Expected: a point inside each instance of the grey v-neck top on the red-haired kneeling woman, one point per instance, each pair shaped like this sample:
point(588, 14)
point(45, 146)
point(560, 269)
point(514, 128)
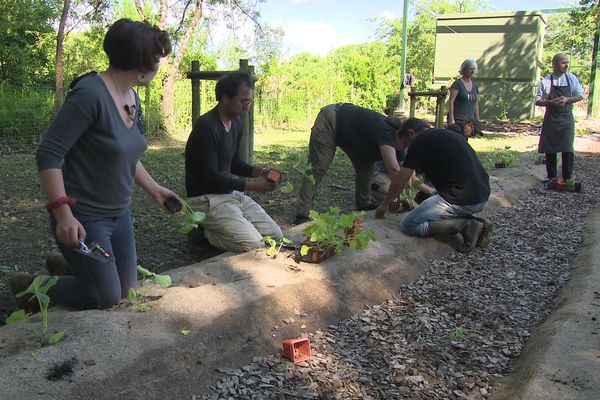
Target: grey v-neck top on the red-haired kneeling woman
point(97, 152)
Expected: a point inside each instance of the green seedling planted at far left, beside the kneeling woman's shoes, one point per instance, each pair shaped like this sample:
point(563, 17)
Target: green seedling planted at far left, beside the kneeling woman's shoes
point(38, 291)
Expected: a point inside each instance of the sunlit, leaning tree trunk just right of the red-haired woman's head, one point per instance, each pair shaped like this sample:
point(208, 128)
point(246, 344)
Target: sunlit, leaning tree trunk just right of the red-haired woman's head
point(168, 92)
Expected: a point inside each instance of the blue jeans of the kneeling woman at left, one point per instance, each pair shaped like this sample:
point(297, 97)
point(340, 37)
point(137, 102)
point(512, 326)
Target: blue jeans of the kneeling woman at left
point(96, 284)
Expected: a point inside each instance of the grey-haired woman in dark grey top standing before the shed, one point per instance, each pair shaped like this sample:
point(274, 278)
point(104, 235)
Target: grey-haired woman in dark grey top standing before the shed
point(463, 105)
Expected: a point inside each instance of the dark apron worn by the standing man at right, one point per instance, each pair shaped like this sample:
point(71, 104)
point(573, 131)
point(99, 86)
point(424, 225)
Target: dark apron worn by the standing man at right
point(558, 128)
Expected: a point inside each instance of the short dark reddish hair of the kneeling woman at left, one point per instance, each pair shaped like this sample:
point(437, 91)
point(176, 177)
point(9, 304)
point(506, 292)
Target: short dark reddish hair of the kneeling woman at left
point(133, 45)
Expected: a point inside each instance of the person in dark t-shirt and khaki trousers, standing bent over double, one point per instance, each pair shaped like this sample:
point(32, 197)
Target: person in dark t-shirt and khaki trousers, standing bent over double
point(366, 136)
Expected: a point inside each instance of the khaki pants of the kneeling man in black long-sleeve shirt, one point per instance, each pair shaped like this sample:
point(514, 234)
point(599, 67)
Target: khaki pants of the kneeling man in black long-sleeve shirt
point(234, 222)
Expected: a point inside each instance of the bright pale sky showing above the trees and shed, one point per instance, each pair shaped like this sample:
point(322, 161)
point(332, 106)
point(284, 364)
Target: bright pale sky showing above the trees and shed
point(319, 26)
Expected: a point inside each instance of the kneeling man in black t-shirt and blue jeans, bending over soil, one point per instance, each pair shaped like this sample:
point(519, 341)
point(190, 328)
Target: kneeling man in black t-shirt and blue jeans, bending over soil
point(461, 182)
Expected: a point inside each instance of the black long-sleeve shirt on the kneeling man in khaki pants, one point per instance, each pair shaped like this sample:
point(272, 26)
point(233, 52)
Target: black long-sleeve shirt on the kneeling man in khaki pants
point(212, 156)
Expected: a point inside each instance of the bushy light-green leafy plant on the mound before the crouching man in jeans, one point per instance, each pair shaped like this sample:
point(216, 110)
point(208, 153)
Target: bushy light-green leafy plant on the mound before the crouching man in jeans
point(328, 231)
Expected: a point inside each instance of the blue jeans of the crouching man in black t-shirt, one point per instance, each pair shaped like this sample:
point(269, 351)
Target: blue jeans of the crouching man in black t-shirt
point(416, 222)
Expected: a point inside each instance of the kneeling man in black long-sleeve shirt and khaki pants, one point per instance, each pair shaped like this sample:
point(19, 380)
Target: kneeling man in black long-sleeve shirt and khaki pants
point(233, 221)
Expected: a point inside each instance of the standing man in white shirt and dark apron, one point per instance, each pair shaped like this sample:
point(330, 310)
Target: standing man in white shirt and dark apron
point(557, 92)
